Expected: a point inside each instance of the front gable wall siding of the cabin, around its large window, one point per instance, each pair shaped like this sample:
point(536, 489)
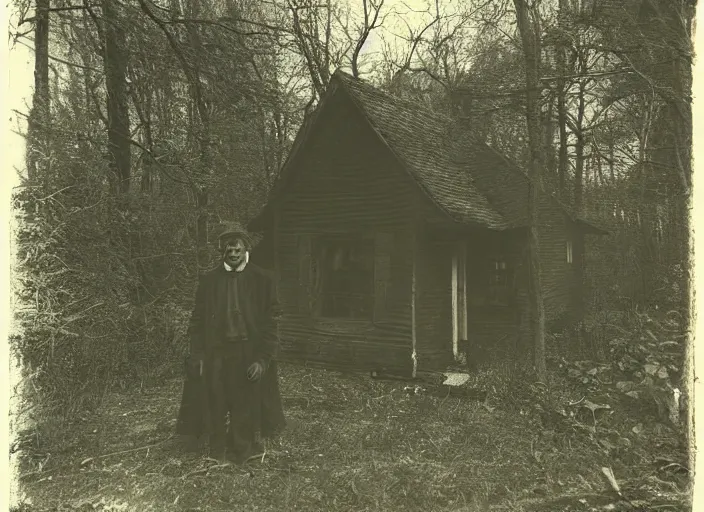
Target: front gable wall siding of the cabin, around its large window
point(348, 182)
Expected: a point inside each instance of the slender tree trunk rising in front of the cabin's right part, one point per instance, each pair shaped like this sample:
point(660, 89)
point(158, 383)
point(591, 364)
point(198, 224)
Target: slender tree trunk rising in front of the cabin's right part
point(530, 35)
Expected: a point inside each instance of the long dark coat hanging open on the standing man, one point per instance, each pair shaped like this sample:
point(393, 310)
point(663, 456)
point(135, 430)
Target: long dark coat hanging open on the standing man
point(259, 309)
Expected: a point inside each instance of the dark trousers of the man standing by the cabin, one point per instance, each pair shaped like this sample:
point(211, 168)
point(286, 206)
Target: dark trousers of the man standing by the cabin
point(236, 397)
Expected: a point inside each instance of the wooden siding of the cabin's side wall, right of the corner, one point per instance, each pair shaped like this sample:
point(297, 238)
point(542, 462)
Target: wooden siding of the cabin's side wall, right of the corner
point(496, 330)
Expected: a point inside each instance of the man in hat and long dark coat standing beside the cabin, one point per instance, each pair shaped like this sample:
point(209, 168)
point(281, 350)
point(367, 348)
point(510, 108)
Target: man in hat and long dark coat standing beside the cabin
point(232, 360)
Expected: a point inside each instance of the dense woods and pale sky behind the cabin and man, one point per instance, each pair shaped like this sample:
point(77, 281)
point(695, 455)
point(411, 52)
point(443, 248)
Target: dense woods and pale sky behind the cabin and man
point(153, 120)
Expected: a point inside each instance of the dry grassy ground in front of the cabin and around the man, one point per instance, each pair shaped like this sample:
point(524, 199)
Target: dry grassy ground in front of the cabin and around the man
point(352, 444)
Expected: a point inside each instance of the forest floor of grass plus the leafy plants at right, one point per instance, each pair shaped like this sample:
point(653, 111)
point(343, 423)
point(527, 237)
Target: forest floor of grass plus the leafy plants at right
point(582, 441)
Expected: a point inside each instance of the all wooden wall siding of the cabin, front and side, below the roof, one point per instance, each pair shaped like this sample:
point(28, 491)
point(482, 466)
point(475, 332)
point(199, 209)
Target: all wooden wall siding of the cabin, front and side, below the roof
point(350, 182)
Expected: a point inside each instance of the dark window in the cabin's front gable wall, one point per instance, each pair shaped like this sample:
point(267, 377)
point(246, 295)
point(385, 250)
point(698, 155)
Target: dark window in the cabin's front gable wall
point(343, 275)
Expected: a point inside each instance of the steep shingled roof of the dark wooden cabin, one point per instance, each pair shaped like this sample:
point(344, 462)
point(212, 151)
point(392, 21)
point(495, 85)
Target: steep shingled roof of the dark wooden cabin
point(464, 177)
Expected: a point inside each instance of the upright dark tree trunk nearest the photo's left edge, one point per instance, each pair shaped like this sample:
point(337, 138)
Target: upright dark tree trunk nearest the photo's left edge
point(39, 117)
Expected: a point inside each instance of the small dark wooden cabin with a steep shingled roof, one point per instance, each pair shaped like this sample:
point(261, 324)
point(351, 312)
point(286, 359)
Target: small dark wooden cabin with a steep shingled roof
point(398, 239)
